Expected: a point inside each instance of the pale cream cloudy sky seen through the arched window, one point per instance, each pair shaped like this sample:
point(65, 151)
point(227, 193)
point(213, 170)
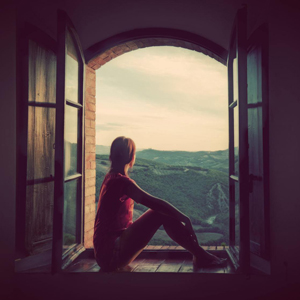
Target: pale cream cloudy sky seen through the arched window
point(164, 98)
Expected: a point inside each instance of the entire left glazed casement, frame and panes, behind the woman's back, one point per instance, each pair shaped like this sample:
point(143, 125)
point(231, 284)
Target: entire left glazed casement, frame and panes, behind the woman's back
point(68, 206)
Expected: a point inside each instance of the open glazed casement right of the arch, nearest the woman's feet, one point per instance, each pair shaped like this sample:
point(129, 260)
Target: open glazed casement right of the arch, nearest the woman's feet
point(238, 145)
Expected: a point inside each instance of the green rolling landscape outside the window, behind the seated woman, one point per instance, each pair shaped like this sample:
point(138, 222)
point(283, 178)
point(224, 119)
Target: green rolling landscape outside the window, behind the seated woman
point(194, 182)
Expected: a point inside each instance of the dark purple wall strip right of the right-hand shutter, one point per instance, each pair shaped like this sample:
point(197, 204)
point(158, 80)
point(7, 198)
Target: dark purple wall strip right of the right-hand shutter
point(284, 95)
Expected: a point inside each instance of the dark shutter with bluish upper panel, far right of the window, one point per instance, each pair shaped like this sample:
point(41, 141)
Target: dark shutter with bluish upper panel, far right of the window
point(257, 66)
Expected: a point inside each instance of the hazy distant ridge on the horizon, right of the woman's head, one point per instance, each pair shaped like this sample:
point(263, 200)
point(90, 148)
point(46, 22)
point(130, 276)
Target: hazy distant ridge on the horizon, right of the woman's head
point(217, 160)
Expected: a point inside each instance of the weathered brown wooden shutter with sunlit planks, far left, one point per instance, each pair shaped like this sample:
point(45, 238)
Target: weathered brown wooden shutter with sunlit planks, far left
point(36, 141)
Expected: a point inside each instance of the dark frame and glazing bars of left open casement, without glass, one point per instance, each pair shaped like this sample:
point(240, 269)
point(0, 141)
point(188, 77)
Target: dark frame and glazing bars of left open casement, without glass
point(60, 259)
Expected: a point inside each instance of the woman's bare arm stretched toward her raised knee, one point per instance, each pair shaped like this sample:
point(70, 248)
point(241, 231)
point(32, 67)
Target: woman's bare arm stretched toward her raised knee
point(136, 193)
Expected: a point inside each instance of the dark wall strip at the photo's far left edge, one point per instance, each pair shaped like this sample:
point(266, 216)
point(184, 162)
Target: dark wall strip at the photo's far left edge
point(8, 144)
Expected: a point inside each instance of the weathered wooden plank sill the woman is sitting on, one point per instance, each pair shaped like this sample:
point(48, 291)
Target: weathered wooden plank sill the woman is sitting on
point(165, 259)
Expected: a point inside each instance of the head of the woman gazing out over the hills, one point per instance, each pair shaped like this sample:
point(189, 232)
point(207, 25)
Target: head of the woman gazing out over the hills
point(122, 153)
